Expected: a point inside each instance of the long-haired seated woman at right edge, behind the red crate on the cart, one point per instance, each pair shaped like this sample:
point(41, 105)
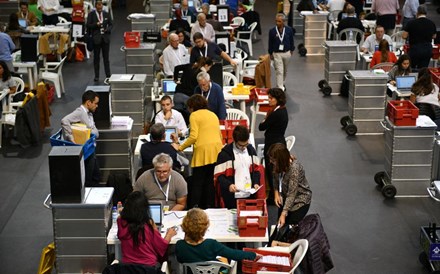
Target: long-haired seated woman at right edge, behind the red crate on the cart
point(425, 94)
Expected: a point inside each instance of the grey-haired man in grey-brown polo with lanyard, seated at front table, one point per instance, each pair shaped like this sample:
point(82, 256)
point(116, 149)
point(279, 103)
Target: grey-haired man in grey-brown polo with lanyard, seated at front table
point(163, 184)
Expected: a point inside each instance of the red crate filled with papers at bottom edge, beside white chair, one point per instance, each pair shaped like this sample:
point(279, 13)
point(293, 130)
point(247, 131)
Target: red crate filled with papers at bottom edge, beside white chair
point(251, 267)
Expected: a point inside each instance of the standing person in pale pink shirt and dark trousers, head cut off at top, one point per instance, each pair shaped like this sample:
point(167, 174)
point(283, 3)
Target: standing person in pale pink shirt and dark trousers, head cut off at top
point(386, 11)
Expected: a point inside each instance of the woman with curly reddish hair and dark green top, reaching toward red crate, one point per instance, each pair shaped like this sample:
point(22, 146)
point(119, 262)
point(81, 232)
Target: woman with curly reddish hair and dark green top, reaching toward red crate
point(194, 248)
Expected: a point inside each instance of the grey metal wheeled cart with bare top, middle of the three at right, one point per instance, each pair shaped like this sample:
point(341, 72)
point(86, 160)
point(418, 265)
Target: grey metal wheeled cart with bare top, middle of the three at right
point(366, 103)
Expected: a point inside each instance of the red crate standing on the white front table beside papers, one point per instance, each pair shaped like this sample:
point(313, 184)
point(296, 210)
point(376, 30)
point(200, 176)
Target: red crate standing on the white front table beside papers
point(252, 226)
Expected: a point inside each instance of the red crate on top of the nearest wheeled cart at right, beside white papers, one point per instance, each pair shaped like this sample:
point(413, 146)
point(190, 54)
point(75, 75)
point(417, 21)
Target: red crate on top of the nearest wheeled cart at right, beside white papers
point(402, 113)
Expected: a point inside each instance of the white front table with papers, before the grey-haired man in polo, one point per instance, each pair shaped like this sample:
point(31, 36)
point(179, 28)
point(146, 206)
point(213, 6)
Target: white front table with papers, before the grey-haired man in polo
point(223, 228)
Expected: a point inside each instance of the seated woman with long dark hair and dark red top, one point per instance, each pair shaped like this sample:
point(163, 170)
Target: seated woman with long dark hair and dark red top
point(141, 242)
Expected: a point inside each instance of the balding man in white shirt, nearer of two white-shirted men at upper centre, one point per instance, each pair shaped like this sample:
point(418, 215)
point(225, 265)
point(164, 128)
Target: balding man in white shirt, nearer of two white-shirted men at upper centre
point(173, 55)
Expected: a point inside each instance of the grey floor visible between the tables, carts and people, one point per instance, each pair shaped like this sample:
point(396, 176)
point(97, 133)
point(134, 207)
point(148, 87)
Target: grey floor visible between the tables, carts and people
point(367, 233)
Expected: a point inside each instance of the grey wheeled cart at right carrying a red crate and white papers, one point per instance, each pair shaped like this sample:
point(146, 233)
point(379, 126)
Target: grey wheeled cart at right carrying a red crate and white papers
point(408, 160)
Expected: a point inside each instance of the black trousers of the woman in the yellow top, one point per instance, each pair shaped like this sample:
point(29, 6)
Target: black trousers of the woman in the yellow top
point(201, 187)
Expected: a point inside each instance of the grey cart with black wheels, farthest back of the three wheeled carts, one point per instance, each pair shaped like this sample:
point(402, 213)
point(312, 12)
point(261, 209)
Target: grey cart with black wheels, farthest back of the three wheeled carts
point(340, 56)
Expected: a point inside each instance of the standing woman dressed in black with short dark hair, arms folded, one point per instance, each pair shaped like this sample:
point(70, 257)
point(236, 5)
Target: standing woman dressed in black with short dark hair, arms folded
point(274, 125)
